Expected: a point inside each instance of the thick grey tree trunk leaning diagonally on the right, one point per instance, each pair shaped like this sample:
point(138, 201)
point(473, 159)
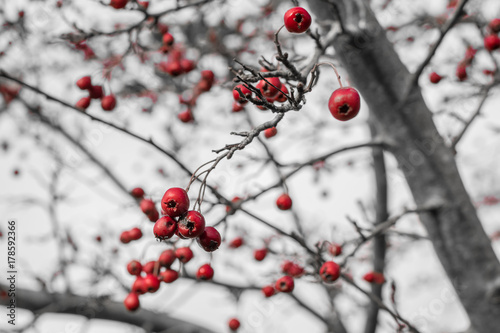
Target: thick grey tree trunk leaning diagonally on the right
point(427, 163)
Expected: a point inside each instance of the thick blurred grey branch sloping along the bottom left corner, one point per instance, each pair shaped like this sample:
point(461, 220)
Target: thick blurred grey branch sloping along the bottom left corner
point(43, 302)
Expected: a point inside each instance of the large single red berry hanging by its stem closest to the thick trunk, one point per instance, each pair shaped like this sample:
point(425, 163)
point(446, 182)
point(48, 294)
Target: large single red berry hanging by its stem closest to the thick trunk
point(344, 103)
